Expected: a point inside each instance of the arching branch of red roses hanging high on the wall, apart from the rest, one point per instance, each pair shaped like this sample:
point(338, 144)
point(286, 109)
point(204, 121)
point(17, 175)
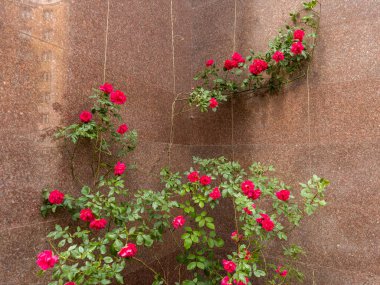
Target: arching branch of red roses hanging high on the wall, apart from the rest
point(282, 63)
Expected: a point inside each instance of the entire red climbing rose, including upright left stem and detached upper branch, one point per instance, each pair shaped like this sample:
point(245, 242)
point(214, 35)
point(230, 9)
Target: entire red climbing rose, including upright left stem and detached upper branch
point(112, 225)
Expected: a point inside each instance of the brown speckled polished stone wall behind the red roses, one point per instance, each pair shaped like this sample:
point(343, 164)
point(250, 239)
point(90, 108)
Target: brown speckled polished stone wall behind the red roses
point(54, 52)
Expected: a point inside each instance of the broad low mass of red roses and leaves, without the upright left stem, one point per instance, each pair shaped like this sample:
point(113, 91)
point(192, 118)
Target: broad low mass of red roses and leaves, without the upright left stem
point(116, 223)
